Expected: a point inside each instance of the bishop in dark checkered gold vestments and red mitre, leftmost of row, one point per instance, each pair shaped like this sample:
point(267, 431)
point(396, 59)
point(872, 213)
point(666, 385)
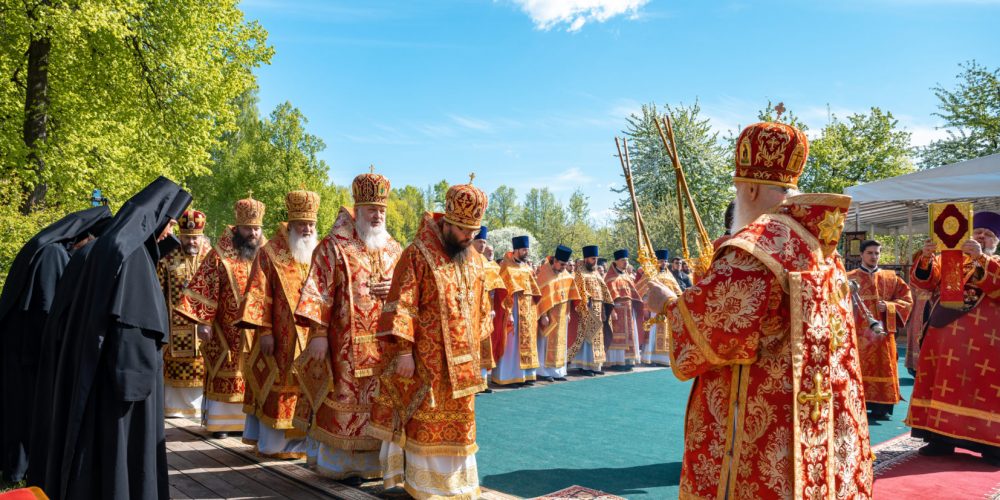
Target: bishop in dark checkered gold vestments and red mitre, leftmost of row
point(183, 365)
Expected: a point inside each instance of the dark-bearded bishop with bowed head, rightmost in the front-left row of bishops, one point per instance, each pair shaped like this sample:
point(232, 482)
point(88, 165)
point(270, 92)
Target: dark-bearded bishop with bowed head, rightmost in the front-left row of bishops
point(435, 318)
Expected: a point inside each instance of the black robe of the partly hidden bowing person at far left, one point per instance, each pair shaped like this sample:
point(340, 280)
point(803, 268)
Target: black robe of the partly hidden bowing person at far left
point(25, 303)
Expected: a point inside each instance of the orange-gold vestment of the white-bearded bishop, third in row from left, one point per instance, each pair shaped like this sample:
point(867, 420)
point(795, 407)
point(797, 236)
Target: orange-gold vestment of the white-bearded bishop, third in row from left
point(268, 307)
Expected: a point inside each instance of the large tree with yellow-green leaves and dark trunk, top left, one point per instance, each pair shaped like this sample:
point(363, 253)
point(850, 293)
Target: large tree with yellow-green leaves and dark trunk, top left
point(113, 93)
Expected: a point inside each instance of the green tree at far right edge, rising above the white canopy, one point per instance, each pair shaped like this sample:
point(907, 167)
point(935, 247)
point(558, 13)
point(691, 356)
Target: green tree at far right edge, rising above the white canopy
point(971, 114)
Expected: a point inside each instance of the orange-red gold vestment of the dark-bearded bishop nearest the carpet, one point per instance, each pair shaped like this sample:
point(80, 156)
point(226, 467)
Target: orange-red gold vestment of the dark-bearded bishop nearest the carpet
point(438, 309)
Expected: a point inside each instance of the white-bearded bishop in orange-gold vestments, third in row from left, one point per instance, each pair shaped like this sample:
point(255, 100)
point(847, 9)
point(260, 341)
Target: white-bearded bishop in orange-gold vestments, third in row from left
point(276, 281)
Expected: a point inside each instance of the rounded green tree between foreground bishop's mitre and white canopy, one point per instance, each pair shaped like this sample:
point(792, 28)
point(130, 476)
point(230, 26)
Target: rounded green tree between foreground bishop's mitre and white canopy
point(866, 147)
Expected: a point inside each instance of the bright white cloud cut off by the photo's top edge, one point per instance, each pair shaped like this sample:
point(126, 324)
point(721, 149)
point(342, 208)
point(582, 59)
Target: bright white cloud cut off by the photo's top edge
point(574, 14)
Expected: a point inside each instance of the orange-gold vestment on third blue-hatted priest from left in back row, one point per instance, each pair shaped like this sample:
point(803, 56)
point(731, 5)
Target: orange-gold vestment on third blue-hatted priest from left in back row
point(559, 295)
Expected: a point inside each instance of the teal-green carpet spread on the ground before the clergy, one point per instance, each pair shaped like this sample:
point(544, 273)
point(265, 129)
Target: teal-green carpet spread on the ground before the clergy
point(619, 434)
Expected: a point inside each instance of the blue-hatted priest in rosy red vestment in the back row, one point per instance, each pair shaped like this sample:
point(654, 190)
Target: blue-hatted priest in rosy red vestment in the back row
point(623, 352)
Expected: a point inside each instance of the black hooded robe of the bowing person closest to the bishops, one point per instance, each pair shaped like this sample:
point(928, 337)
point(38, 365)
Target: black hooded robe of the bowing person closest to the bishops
point(105, 435)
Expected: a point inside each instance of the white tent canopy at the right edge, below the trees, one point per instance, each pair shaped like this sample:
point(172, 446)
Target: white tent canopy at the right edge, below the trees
point(899, 205)
